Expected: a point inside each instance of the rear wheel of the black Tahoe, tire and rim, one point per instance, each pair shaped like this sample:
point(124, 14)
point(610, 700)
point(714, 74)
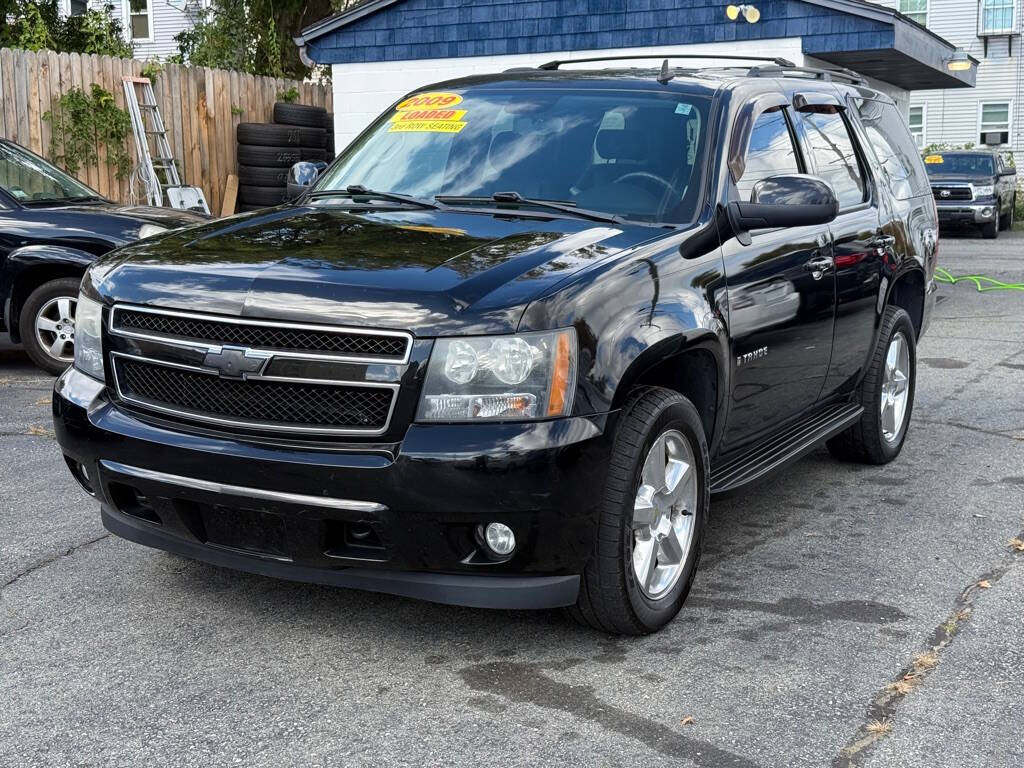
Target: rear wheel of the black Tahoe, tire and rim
point(886, 394)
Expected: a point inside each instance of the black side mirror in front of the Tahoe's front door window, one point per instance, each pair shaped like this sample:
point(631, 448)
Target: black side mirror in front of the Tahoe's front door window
point(794, 200)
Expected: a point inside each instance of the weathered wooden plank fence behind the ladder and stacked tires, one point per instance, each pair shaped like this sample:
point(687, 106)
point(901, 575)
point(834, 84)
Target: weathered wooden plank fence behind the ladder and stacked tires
point(201, 109)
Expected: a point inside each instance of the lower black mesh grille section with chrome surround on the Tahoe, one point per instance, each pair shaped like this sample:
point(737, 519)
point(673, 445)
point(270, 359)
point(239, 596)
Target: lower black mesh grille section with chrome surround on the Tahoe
point(255, 402)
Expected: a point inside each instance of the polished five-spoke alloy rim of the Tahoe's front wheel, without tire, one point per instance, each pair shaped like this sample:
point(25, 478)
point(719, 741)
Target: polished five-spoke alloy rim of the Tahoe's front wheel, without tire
point(663, 515)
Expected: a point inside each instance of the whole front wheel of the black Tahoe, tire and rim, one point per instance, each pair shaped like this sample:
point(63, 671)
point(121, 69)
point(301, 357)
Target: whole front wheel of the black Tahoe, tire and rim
point(653, 519)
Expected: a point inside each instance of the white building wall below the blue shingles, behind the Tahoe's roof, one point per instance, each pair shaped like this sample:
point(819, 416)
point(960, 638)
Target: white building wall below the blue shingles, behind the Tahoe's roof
point(362, 92)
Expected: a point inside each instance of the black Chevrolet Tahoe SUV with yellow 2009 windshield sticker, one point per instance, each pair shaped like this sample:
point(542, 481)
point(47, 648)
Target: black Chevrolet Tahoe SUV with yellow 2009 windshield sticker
point(506, 348)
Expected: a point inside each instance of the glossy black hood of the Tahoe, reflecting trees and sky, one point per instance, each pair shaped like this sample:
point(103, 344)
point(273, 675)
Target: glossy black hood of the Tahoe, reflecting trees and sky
point(428, 272)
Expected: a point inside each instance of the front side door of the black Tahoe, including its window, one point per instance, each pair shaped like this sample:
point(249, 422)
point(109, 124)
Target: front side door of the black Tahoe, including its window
point(781, 300)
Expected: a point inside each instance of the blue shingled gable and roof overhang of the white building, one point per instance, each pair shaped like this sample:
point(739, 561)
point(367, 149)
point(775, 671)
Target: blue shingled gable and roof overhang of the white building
point(870, 39)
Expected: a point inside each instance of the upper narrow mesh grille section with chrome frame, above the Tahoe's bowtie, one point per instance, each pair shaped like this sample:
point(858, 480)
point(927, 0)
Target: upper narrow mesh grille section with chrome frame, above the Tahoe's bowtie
point(357, 346)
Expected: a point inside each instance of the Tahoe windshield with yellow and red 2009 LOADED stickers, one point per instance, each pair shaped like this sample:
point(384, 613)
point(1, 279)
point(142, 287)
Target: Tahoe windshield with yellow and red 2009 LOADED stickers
point(632, 154)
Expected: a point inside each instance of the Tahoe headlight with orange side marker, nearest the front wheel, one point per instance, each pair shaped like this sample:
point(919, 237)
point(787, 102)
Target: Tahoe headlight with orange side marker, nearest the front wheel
point(501, 378)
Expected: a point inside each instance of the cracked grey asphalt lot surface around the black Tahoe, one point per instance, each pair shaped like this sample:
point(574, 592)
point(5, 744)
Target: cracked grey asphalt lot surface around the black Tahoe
point(843, 616)
